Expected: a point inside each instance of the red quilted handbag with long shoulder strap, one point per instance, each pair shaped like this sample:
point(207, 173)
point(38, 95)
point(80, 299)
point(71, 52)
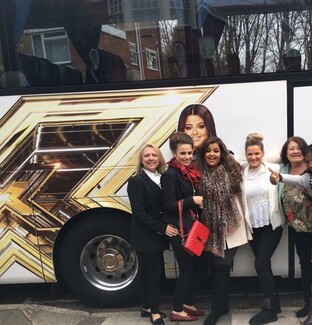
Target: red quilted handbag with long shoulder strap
point(195, 241)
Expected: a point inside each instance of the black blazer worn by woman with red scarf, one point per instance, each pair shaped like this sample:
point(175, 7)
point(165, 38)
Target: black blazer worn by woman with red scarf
point(174, 188)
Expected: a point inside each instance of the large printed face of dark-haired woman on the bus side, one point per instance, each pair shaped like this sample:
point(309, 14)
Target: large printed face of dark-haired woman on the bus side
point(195, 127)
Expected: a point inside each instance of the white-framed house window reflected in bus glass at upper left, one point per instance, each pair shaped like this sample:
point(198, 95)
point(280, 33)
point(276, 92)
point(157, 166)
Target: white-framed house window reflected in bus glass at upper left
point(52, 45)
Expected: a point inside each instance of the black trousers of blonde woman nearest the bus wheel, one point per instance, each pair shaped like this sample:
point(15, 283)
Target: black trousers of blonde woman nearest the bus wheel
point(151, 272)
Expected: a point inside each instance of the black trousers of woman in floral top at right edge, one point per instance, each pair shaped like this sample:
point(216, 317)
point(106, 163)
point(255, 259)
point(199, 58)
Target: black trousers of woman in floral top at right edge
point(303, 243)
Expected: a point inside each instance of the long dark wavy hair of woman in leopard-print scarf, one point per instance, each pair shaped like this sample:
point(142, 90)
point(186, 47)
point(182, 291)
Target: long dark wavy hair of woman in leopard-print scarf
point(231, 166)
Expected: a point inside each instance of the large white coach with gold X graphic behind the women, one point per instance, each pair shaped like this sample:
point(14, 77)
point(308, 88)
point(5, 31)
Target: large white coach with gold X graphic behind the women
point(84, 84)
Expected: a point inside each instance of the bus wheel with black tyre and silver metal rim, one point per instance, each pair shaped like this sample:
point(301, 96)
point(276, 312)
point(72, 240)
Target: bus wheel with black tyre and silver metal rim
point(98, 263)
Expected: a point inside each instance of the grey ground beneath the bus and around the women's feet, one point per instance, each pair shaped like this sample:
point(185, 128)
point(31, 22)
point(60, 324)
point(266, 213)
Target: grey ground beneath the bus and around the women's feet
point(22, 305)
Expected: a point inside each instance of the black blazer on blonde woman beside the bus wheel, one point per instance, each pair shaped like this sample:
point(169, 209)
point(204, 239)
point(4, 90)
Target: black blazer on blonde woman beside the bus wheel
point(147, 228)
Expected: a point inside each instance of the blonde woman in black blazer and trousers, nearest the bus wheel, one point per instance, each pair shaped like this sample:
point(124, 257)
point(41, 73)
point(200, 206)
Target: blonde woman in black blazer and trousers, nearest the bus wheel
point(147, 228)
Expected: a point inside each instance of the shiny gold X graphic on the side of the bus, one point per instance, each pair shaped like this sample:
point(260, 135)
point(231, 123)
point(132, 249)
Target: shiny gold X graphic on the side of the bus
point(62, 156)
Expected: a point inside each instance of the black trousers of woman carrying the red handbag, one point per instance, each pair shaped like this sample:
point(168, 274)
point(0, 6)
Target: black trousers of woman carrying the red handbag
point(190, 275)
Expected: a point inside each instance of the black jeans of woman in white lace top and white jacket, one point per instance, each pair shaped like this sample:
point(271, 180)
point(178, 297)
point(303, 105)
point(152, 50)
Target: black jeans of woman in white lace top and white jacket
point(263, 245)
